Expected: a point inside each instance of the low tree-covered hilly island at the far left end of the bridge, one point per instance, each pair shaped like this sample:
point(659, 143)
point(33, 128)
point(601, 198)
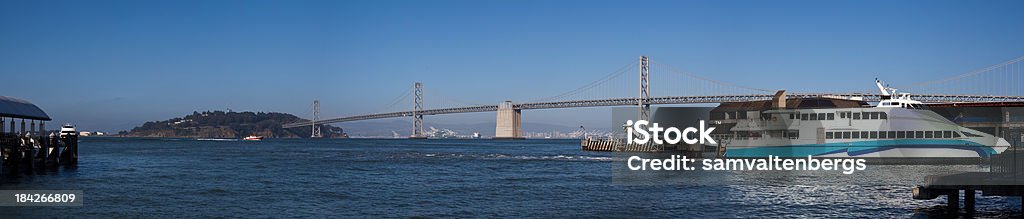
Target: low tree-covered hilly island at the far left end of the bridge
point(220, 124)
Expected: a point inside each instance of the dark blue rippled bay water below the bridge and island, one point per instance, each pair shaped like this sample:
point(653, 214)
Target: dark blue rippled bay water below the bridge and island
point(133, 178)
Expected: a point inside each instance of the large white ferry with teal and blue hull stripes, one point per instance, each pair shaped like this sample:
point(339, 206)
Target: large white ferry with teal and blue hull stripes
point(898, 127)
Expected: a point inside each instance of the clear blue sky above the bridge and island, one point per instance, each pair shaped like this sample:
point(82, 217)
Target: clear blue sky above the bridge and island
point(113, 65)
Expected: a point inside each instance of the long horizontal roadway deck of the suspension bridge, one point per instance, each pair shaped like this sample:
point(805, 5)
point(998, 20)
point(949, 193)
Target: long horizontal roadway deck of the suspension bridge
point(656, 101)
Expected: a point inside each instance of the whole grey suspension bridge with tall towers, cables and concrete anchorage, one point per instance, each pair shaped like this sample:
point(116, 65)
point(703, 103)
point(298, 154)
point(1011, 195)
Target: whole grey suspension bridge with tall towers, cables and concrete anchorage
point(999, 83)
